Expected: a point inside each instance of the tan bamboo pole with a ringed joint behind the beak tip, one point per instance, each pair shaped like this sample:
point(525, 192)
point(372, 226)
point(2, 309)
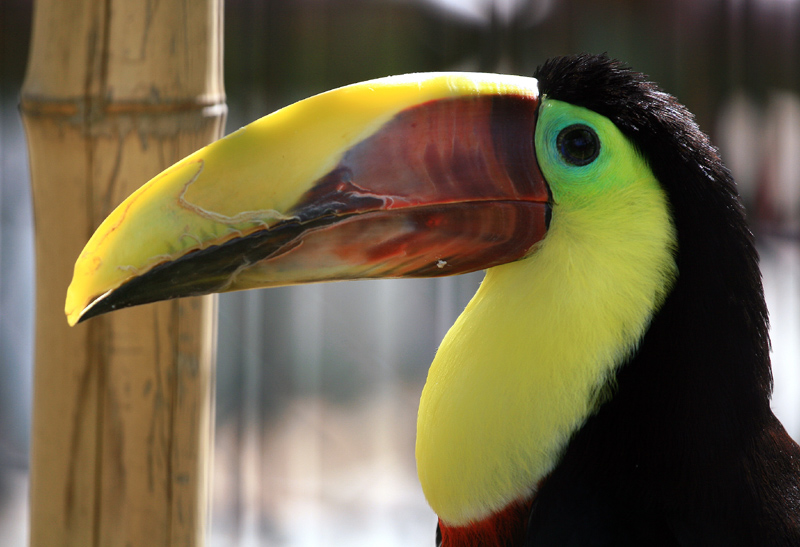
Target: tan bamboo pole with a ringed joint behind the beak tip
point(116, 91)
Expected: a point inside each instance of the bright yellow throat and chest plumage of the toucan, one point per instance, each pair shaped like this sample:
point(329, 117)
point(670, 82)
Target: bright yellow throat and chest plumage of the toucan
point(520, 370)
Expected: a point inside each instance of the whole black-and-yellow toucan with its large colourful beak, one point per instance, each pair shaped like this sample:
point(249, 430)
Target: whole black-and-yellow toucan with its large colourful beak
point(609, 382)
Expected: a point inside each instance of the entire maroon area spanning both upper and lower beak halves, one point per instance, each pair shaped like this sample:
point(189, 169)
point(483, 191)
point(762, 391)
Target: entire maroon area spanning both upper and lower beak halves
point(451, 186)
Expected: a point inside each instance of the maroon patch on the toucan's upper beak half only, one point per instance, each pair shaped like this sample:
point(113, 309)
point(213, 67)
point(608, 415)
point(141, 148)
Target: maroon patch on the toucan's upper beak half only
point(447, 151)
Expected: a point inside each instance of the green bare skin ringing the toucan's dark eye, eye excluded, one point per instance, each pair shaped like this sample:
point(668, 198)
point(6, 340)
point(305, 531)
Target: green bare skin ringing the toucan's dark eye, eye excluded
point(616, 168)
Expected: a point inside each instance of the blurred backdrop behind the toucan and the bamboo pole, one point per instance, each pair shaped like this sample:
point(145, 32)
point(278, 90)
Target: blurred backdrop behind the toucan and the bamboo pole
point(318, 386)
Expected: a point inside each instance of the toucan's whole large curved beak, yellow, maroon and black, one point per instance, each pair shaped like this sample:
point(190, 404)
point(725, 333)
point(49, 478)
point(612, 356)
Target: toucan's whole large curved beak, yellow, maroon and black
point(411, 176)
